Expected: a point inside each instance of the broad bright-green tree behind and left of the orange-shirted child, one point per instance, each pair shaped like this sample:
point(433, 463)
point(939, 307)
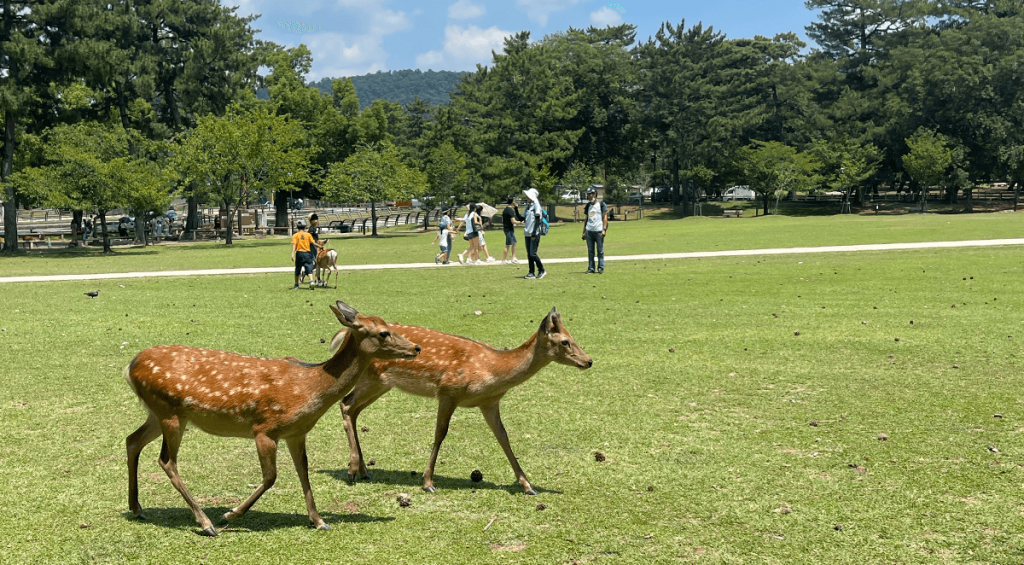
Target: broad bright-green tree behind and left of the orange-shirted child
point(242, 154)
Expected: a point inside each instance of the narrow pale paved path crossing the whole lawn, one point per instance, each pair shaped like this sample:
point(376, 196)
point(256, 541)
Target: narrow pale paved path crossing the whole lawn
point(690, 255)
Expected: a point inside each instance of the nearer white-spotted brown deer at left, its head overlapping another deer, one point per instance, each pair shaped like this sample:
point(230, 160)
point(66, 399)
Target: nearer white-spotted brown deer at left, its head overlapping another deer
point(234, 396)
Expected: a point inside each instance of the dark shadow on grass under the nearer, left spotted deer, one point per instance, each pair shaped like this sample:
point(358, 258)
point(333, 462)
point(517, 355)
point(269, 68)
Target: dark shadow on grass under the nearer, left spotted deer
point(252, 521)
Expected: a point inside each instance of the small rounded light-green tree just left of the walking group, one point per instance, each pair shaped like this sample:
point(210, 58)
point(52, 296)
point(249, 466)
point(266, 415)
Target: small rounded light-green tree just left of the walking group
point(373, 173)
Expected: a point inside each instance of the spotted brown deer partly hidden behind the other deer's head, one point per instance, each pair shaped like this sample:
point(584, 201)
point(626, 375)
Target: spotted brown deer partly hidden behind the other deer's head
point(459, 373)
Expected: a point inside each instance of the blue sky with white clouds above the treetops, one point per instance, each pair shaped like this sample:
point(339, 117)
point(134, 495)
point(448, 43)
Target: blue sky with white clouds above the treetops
point(356, 37)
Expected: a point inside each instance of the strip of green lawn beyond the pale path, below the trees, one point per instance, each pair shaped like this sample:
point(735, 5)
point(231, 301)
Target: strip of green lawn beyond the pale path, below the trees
point(650, 236)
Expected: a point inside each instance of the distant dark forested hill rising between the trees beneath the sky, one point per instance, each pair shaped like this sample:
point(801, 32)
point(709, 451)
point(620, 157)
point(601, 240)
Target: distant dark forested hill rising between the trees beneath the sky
point(401, 86)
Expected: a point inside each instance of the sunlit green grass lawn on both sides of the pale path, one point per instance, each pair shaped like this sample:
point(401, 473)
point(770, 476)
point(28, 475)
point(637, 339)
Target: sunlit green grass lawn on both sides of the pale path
point(729, 438)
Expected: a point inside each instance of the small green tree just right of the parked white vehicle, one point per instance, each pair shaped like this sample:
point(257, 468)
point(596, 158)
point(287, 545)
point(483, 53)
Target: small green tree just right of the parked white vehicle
point(773, 169)
